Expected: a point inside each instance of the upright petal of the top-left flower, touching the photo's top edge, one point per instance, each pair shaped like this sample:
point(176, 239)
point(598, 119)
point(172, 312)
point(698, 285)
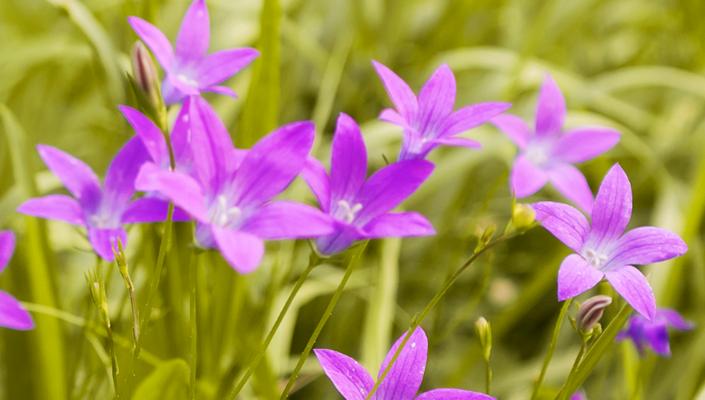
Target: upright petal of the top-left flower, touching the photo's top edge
point(194, 33)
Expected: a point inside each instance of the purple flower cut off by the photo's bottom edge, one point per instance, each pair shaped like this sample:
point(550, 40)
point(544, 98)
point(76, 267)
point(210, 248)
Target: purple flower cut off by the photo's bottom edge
point(401, 383)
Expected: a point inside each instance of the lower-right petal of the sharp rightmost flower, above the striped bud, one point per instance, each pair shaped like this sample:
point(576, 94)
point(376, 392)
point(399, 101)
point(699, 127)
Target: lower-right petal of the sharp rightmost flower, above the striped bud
point(631, 284)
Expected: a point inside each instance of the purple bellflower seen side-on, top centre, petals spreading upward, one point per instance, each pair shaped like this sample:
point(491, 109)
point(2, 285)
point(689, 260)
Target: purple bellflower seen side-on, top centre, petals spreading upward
point(429, 120)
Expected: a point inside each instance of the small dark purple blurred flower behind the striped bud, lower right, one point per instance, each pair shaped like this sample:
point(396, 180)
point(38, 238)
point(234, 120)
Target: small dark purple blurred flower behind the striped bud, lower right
point(654, 333)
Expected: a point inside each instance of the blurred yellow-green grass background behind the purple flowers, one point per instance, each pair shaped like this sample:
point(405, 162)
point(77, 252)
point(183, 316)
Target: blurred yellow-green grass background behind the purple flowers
point(631, 64)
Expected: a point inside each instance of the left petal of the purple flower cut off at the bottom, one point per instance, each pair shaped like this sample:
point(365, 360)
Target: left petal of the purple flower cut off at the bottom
point(349, 377)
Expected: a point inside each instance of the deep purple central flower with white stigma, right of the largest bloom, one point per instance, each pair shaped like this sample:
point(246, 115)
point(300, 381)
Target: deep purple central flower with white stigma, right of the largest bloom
point(360, 206)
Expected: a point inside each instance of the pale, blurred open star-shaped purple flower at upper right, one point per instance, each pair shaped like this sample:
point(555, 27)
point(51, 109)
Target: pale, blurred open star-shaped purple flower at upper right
point(548, 153)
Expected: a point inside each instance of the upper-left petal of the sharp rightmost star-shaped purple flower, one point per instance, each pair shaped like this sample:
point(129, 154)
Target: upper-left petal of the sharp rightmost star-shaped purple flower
point(564, 222)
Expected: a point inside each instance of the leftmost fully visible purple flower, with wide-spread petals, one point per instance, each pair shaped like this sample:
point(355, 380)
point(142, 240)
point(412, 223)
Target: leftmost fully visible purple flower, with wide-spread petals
point(101, 209)
